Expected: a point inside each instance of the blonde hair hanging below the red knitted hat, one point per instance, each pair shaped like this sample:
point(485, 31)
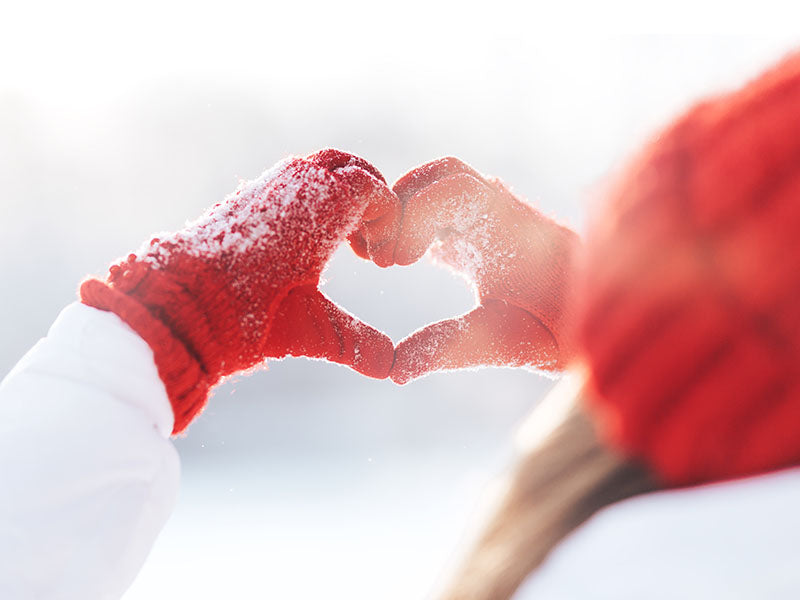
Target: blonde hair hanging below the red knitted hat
point(564, 476)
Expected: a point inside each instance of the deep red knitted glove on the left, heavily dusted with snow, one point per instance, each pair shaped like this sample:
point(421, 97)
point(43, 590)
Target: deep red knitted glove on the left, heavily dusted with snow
point(240, 284)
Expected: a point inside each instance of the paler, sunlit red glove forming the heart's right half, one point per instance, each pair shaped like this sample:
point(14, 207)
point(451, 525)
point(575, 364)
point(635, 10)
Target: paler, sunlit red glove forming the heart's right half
point(517, 259)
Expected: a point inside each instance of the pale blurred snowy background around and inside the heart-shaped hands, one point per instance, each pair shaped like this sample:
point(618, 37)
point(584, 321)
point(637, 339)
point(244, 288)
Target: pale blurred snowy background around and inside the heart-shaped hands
point(307, 480)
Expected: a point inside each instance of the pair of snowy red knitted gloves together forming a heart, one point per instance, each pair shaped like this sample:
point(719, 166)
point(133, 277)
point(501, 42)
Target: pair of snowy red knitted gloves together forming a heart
point(240, 284)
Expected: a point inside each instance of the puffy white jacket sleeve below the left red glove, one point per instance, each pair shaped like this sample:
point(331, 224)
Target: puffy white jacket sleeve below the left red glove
point(88, 475)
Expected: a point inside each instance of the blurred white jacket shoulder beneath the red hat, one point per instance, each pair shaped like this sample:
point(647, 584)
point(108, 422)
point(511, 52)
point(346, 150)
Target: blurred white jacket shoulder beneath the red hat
point(732, 540)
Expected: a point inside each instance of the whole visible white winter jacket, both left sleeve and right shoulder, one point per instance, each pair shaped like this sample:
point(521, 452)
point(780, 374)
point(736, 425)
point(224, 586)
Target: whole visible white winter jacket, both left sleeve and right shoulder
point(88, 478)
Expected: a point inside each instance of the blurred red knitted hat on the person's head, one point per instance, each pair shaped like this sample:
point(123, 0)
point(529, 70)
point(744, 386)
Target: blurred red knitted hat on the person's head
point(689, 310)
